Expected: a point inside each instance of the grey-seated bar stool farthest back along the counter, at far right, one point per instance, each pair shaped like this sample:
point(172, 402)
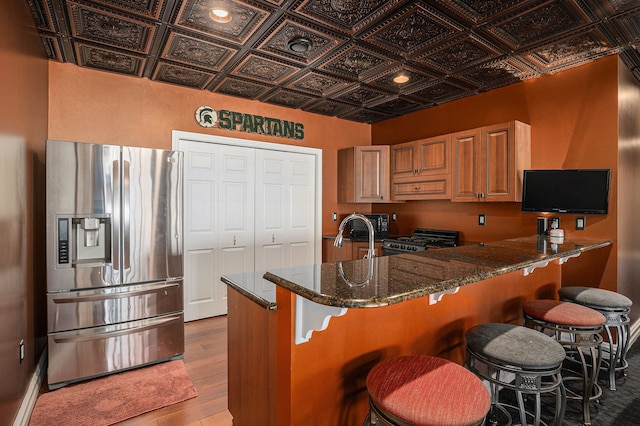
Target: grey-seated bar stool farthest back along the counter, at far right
point(615, 307)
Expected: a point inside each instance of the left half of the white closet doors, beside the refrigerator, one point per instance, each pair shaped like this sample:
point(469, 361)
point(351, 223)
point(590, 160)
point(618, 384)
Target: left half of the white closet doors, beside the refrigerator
point(218, 223)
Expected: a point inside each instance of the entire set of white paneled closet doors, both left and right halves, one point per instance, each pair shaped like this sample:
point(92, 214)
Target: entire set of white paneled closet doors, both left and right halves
point(246, 209)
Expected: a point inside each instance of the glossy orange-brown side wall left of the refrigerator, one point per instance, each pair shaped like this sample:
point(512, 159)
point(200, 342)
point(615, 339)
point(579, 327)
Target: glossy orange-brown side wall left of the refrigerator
point(23, 127)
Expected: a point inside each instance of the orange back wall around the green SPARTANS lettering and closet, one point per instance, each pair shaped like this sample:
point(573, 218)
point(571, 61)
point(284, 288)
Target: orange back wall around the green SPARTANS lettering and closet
point(100, 107)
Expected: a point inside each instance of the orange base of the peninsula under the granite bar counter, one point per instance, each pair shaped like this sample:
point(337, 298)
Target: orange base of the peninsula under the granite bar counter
point(322, 382)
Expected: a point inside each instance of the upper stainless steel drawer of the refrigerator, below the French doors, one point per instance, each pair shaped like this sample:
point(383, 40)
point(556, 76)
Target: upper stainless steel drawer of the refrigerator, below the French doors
point(89, 308)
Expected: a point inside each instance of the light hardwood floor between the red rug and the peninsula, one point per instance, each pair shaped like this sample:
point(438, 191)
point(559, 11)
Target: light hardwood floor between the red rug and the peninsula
point(205, 358)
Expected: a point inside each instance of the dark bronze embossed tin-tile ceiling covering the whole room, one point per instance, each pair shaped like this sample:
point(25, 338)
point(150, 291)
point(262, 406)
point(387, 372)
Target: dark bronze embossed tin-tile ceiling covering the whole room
point(449, 48)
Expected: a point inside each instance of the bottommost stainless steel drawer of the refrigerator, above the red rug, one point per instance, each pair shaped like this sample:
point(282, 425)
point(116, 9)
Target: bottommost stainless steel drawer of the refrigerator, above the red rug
point(82, 354)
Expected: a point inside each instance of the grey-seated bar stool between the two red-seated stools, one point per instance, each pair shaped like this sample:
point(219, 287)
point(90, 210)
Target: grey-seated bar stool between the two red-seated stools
point(520, 359)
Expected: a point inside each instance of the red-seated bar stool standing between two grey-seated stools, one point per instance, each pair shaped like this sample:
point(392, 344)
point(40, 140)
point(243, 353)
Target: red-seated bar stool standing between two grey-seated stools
point(578, 329)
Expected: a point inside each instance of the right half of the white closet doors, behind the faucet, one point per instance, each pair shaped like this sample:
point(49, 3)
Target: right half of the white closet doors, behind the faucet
point(285, 209)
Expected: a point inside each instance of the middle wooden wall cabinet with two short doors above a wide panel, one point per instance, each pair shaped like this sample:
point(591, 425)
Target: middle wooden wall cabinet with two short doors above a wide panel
point(421, 170)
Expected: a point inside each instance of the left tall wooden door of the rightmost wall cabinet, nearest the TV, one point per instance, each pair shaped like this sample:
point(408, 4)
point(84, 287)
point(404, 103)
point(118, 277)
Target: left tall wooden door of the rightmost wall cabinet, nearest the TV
point(466, 152)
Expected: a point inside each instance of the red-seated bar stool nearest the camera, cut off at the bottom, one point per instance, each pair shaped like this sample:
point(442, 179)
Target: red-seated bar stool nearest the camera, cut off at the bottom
point(424, 390)
